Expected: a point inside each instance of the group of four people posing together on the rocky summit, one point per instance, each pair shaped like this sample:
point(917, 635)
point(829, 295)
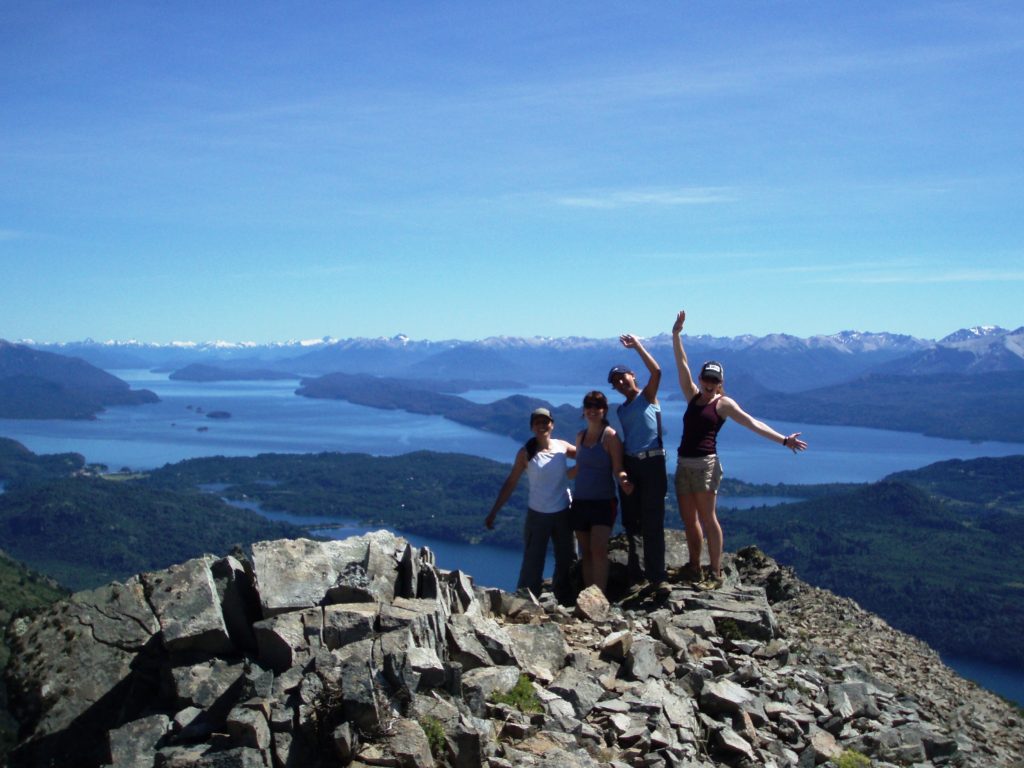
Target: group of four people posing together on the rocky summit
point(637, 464)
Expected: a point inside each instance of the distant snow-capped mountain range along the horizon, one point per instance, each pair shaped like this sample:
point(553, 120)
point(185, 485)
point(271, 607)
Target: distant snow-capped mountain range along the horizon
point(773, 362)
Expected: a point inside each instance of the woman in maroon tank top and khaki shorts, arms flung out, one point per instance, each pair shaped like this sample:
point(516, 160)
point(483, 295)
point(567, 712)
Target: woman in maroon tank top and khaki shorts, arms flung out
point(699, 472)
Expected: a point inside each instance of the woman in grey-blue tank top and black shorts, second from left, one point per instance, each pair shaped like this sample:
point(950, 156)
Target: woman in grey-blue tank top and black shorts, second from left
point(599, 466)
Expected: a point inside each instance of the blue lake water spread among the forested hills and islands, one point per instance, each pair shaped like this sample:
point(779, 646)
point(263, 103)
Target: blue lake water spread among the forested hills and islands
point(268, 417)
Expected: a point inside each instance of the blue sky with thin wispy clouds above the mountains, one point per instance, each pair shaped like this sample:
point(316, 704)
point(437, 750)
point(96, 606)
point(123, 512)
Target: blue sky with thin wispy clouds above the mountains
point(269, 172)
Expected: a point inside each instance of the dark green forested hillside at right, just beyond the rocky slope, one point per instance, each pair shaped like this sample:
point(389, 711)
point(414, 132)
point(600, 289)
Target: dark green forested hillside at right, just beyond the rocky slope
point(950, 573)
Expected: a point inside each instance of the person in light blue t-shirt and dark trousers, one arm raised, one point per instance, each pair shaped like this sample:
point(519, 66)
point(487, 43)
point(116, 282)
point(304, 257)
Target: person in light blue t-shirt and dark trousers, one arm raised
point(644, 510)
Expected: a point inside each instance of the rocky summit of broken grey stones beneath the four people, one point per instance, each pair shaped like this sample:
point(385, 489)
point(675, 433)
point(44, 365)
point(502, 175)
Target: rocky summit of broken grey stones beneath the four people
point(364, 653)
